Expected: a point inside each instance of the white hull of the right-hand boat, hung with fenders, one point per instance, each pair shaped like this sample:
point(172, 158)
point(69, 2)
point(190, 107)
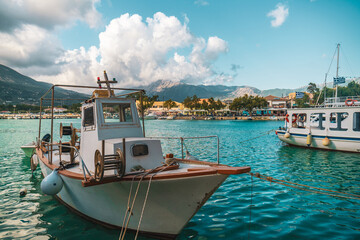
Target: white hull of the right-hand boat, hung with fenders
point(337, 143)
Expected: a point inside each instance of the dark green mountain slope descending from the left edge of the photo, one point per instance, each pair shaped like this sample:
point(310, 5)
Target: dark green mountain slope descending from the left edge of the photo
point(17, 88)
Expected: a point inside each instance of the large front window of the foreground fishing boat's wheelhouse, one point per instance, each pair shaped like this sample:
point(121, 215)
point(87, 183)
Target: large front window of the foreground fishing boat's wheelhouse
point(117, 112)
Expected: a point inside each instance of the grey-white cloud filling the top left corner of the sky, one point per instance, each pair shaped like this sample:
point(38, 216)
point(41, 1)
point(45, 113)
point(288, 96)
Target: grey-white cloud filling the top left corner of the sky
point(46, 14)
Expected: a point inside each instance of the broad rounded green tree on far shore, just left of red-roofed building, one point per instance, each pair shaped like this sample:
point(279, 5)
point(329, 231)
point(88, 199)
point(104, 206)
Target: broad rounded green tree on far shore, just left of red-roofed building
point(248, 103)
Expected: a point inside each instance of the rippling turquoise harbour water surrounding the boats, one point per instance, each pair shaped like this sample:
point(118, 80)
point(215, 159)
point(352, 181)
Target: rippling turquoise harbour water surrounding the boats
point(277, 211)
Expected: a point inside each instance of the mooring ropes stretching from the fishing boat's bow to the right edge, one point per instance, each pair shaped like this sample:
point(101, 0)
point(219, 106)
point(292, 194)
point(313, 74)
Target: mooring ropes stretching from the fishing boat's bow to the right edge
point(304, 187)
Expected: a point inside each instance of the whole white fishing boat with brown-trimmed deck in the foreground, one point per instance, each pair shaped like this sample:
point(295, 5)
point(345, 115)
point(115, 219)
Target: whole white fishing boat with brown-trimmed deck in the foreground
point(116, 176)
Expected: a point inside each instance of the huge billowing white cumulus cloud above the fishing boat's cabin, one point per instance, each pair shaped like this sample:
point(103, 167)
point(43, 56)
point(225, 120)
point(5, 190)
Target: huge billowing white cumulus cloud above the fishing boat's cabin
point(139, 52)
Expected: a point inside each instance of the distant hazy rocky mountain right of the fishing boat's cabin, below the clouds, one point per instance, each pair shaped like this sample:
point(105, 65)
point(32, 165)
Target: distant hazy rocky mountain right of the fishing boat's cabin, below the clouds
point(178, 91)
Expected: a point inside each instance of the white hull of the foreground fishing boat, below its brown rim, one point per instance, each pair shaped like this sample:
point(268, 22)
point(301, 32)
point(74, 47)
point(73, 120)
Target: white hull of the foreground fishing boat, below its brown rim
point(171, 203)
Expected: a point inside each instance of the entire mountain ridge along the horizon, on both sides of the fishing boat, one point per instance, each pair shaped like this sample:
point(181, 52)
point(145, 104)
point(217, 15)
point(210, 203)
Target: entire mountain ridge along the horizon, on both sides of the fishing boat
point(18, 88)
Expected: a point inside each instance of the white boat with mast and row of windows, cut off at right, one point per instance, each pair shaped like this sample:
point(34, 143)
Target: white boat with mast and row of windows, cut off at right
point(333, 126)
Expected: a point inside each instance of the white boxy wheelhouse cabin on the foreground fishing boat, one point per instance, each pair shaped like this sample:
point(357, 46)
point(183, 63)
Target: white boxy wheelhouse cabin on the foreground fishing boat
point(114, 123)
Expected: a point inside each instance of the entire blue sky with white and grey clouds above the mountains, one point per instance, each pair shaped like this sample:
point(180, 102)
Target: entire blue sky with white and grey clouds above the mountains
point(260, 43)
